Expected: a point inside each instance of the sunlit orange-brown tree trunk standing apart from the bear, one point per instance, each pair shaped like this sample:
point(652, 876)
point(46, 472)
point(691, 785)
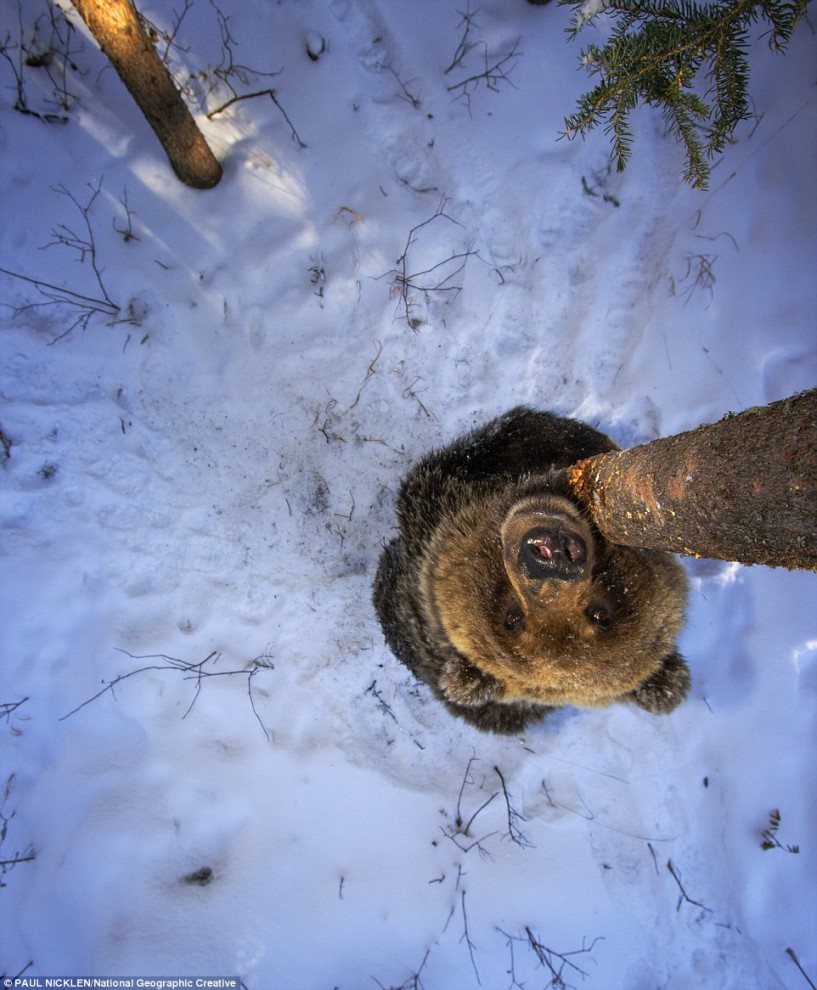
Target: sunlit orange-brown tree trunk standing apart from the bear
point(121, 35)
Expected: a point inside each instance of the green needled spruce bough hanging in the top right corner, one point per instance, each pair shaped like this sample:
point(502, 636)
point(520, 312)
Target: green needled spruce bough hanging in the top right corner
point(689, 59)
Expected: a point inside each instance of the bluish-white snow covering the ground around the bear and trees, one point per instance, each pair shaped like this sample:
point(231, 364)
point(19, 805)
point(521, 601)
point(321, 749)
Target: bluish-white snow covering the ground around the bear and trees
point(204, 492)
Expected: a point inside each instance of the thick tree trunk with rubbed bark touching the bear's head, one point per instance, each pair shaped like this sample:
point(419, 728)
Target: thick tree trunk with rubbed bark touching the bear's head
point(742, 489)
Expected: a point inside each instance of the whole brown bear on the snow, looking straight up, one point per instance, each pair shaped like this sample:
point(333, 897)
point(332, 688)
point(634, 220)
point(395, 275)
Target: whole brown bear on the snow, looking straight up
point(500, 594)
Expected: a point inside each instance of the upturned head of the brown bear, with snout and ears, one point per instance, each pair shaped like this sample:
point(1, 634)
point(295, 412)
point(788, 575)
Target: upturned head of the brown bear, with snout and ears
point(526, 602)
